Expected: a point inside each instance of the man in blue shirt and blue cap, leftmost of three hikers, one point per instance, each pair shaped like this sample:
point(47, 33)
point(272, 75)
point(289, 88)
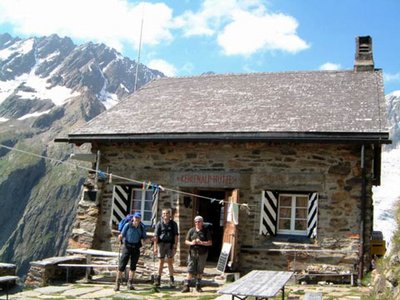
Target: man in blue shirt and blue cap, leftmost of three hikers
point(131, 237)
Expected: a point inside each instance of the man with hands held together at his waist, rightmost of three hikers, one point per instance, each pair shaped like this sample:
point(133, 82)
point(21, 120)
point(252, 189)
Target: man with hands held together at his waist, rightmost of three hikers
point(199, 239)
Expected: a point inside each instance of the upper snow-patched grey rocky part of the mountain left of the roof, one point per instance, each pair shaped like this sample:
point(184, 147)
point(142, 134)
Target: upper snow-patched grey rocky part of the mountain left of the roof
point(37, 74)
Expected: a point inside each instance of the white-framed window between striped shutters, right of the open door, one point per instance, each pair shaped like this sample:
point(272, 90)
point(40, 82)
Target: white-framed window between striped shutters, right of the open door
point(292, 214)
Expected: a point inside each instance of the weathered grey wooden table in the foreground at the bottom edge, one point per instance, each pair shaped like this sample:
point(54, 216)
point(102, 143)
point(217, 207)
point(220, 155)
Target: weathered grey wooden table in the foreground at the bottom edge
point(258, 284)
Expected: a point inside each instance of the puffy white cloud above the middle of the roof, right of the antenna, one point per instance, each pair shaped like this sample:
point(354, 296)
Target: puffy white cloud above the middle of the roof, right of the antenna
point(243, 27)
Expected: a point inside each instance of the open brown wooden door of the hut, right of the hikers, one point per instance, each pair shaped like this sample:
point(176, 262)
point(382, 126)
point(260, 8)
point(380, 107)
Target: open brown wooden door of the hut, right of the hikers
point(230, 232)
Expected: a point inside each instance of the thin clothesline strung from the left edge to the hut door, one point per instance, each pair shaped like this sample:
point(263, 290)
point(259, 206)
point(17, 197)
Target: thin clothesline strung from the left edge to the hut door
point(110, 176)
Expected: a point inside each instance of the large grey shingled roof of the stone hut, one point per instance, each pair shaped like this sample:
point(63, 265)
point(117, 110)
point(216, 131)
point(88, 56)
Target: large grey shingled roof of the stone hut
point(288, 105)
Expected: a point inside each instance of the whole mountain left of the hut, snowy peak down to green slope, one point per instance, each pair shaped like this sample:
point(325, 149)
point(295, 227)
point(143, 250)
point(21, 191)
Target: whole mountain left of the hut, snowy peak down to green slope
point(48, 86)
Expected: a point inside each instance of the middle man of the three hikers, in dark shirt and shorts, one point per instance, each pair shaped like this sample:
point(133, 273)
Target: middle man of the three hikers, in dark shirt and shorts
point(165, 244)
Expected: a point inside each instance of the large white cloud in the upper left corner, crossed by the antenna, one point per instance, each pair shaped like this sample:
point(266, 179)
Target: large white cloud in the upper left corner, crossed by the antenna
point(114, 22)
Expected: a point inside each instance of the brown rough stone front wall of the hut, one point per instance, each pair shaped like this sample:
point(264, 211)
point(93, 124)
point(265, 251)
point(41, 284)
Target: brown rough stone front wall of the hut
point(333, 171)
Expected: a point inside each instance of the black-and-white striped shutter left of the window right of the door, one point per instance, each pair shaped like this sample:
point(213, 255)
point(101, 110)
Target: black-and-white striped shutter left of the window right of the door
point(269, 210)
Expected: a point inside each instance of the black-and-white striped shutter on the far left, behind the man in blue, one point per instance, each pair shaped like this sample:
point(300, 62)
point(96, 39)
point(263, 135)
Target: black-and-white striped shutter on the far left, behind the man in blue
point(120, 203)
